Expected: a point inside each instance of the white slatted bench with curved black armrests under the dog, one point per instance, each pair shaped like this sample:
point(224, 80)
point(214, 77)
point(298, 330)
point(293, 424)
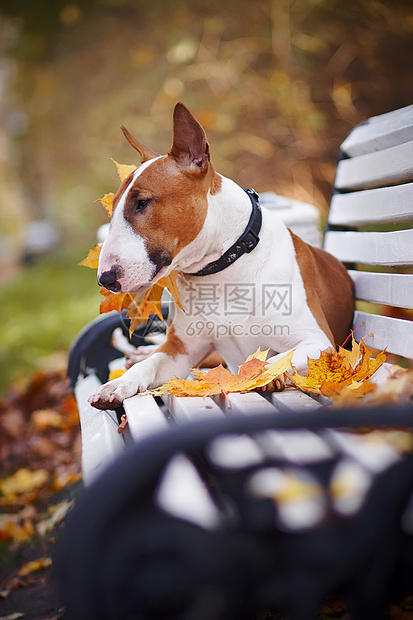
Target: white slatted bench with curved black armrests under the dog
point(218, 512)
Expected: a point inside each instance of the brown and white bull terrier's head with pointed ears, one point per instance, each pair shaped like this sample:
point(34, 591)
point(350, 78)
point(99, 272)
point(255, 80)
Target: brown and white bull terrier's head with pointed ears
point(159, 209)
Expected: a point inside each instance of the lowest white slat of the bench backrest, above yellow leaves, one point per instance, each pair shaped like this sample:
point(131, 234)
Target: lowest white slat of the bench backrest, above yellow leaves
point(394, 335)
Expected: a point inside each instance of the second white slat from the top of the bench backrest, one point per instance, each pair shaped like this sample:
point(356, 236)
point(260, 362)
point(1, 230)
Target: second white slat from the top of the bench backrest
point(391, 166)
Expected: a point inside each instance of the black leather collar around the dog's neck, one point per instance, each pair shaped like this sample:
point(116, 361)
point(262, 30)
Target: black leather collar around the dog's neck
point(245, 244)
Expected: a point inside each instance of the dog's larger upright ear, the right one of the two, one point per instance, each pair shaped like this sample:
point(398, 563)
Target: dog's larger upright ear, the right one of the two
point(189, 147)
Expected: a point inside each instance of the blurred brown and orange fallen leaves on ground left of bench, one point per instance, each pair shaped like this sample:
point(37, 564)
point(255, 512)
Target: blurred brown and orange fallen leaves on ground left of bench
point(39, 455)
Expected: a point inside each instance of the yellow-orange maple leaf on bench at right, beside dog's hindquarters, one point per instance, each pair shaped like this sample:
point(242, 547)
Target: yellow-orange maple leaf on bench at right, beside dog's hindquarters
point(336, 370)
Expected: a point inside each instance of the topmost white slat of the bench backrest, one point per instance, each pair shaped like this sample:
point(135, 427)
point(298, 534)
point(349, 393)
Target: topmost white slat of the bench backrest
point(380, 132)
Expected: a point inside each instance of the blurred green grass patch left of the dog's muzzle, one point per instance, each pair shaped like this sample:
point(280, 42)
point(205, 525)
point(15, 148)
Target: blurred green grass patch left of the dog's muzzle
point(43, 309)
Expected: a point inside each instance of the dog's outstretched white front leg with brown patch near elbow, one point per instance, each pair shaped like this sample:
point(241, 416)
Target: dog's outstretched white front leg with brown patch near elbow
point(173, 358)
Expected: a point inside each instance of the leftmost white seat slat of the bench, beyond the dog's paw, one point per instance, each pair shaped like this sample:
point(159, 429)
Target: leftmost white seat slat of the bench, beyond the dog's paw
point(101, 442)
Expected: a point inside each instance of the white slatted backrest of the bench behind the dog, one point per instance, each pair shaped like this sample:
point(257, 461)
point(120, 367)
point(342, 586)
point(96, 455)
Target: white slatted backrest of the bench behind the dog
point(370, 227)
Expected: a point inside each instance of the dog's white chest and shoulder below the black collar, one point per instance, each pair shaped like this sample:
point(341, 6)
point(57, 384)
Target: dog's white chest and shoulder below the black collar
point(259, 301)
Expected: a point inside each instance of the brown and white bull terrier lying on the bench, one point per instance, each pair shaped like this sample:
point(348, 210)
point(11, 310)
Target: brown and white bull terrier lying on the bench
point(247, 281)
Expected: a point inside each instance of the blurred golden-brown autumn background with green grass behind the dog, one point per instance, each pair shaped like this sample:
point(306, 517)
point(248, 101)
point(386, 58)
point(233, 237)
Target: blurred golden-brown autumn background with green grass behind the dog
point(277, 84)
